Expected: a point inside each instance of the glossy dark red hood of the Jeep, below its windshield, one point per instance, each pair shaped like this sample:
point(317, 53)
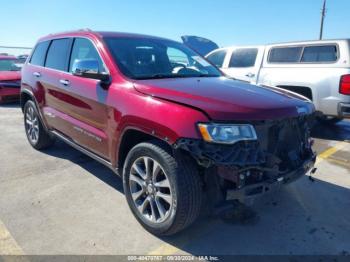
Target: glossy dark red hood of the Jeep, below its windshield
point(226, 99)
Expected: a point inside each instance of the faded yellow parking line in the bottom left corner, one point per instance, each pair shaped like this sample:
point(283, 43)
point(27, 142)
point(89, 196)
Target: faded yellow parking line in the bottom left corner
point(8, 245)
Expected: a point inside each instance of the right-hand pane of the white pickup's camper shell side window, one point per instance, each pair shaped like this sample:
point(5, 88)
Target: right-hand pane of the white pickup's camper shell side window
point(324, 53)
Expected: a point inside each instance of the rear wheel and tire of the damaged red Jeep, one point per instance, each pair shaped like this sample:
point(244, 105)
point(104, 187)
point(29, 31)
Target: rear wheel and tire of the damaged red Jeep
point(37, 135)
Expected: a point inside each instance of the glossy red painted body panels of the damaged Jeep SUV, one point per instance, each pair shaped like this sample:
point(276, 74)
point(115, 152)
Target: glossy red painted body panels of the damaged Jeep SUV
point(167, 108)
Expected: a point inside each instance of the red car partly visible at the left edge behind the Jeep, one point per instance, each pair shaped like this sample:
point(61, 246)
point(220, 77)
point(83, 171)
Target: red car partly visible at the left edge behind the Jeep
point(10, 79)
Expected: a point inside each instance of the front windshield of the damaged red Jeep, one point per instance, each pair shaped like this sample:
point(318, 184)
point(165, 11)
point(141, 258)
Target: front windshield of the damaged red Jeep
point(142, 58)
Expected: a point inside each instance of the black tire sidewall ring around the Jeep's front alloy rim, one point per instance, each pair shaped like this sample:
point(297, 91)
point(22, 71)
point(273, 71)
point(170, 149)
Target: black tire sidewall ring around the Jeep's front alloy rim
point(141, 151)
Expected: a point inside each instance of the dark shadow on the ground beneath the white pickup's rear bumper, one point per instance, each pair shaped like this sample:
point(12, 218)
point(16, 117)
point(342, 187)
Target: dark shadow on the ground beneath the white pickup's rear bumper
point(337, 132)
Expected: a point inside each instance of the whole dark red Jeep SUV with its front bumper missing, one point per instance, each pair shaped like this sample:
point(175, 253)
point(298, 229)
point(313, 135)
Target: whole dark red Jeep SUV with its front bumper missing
point(178, 132)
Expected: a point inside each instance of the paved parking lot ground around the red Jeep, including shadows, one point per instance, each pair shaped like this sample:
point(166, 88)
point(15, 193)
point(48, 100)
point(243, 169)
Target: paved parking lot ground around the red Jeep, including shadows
point(62, 202)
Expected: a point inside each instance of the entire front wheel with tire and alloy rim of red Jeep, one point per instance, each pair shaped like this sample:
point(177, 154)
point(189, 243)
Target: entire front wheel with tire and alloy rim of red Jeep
point(163, 192)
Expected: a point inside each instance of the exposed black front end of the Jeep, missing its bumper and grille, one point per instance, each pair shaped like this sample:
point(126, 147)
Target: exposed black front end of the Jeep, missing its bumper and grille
point(246, 169)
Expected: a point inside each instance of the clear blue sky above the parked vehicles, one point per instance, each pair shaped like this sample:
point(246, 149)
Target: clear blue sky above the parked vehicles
point(226, 22)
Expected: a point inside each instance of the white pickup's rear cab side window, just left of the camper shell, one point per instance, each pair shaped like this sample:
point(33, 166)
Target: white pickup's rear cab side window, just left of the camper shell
point(244, 57)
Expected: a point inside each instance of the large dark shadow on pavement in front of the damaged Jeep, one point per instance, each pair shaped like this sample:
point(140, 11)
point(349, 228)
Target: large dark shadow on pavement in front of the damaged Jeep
point(304, 218)
